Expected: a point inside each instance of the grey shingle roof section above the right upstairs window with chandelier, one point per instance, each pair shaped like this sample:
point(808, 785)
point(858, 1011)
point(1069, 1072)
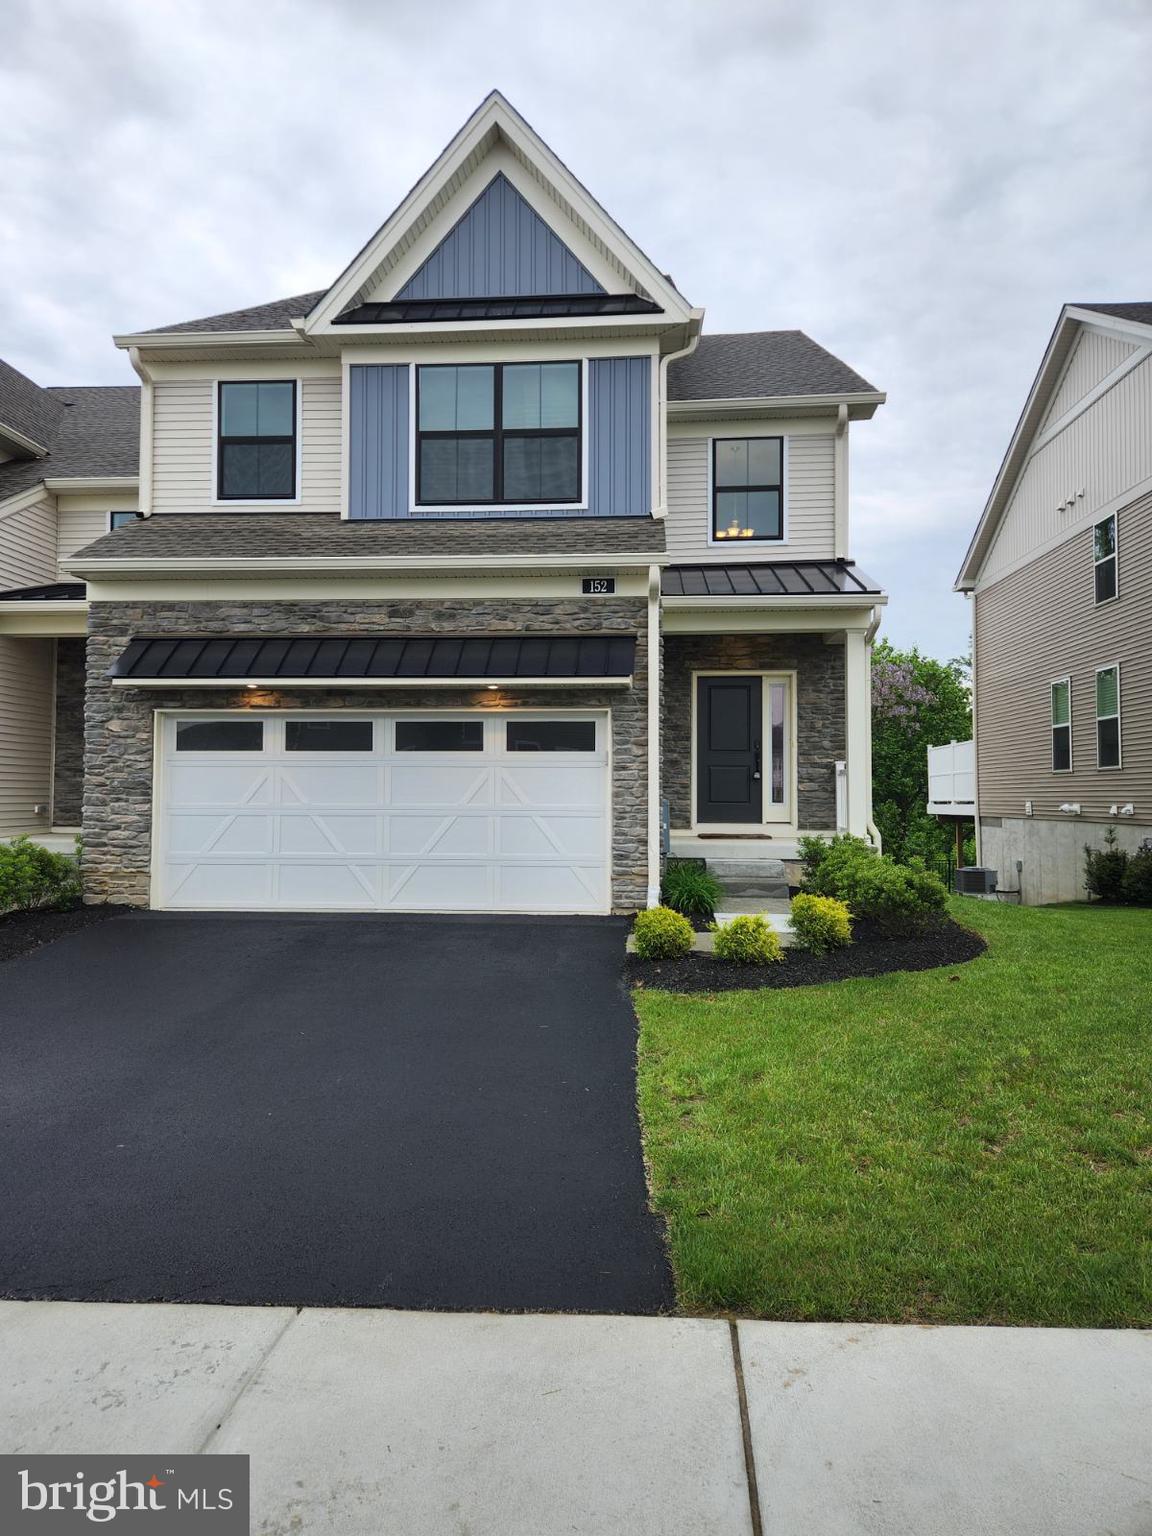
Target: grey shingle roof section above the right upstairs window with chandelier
point(755, 365)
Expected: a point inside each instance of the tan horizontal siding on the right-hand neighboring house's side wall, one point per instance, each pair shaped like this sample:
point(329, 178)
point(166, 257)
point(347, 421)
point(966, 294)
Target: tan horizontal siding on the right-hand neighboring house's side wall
point(1041, 624)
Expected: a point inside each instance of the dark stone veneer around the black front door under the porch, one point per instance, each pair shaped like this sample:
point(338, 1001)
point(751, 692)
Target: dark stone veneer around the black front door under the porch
point(819, 713)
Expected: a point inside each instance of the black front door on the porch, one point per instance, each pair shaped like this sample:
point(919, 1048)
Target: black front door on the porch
point(729, 772)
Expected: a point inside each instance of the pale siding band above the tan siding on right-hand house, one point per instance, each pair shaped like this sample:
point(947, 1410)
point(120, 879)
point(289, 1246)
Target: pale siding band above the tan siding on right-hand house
point(1107, 452)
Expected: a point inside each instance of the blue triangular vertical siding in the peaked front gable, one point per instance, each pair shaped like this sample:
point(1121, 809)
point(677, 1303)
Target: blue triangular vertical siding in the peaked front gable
point(502, 248)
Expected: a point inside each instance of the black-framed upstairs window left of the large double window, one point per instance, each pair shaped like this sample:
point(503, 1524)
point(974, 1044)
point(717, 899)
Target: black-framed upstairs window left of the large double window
point(257, 449)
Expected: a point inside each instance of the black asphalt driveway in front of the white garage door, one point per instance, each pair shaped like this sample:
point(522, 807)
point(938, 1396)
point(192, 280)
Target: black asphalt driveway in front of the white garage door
point(326, 1111)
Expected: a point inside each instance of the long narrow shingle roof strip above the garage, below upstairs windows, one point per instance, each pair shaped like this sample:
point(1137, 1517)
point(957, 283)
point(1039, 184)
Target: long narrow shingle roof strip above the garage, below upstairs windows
point(308, 535)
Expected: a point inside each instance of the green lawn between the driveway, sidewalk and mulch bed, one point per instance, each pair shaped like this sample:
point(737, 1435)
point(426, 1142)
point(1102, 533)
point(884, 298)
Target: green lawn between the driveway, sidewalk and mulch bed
point(968, 1145)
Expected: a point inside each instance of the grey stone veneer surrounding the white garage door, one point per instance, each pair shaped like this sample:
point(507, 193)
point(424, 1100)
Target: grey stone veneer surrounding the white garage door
point(121, 721)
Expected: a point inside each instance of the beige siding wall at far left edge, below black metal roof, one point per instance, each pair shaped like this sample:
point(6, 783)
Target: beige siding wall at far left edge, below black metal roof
point(25, 733)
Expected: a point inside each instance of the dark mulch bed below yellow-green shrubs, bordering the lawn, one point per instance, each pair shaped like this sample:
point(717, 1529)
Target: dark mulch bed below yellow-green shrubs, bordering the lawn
point(872, 953)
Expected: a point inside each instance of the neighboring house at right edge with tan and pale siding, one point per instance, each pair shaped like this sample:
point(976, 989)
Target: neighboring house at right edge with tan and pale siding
point(1061, 578)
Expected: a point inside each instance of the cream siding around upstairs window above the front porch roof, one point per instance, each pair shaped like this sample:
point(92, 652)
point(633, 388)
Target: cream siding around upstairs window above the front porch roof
point(810, 497)
